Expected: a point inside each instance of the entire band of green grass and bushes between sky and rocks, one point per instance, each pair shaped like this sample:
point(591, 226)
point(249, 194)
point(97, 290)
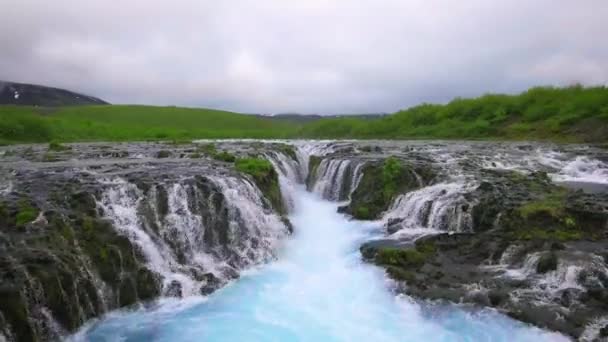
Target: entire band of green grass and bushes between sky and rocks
point(571, 114)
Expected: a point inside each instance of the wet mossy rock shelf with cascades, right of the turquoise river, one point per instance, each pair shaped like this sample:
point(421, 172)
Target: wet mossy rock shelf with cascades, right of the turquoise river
point(519, 227)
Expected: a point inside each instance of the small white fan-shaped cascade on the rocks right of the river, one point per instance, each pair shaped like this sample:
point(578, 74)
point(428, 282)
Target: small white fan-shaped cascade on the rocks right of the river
point(441, 207)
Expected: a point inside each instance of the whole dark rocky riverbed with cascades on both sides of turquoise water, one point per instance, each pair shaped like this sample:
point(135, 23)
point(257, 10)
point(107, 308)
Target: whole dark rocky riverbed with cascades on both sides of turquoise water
point(89, 228)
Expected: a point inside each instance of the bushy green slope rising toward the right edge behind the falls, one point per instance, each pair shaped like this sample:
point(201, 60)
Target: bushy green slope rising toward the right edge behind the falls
point(573, 114)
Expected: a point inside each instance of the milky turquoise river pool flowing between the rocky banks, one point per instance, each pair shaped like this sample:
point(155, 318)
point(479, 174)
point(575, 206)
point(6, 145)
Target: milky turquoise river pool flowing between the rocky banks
point(318, 290)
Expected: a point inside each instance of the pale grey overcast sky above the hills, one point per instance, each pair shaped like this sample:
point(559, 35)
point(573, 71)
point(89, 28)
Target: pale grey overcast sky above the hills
point(327, 56)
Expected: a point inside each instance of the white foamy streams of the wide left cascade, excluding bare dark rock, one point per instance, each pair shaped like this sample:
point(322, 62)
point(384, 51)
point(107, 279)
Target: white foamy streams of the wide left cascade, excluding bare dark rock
point(253, 233)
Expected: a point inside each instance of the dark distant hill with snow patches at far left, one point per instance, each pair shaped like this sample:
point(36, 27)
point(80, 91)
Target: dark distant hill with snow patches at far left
point(36, 95)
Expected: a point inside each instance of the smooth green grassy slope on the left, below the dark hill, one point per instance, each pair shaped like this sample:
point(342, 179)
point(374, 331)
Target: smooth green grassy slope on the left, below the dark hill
point(120, 123)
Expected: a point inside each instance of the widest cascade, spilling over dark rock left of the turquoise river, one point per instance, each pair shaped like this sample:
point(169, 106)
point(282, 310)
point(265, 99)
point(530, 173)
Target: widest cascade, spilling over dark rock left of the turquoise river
point(196, 233)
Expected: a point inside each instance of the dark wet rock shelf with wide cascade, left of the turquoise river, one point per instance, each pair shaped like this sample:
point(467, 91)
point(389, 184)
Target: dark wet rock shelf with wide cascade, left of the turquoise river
point(88, 228)
